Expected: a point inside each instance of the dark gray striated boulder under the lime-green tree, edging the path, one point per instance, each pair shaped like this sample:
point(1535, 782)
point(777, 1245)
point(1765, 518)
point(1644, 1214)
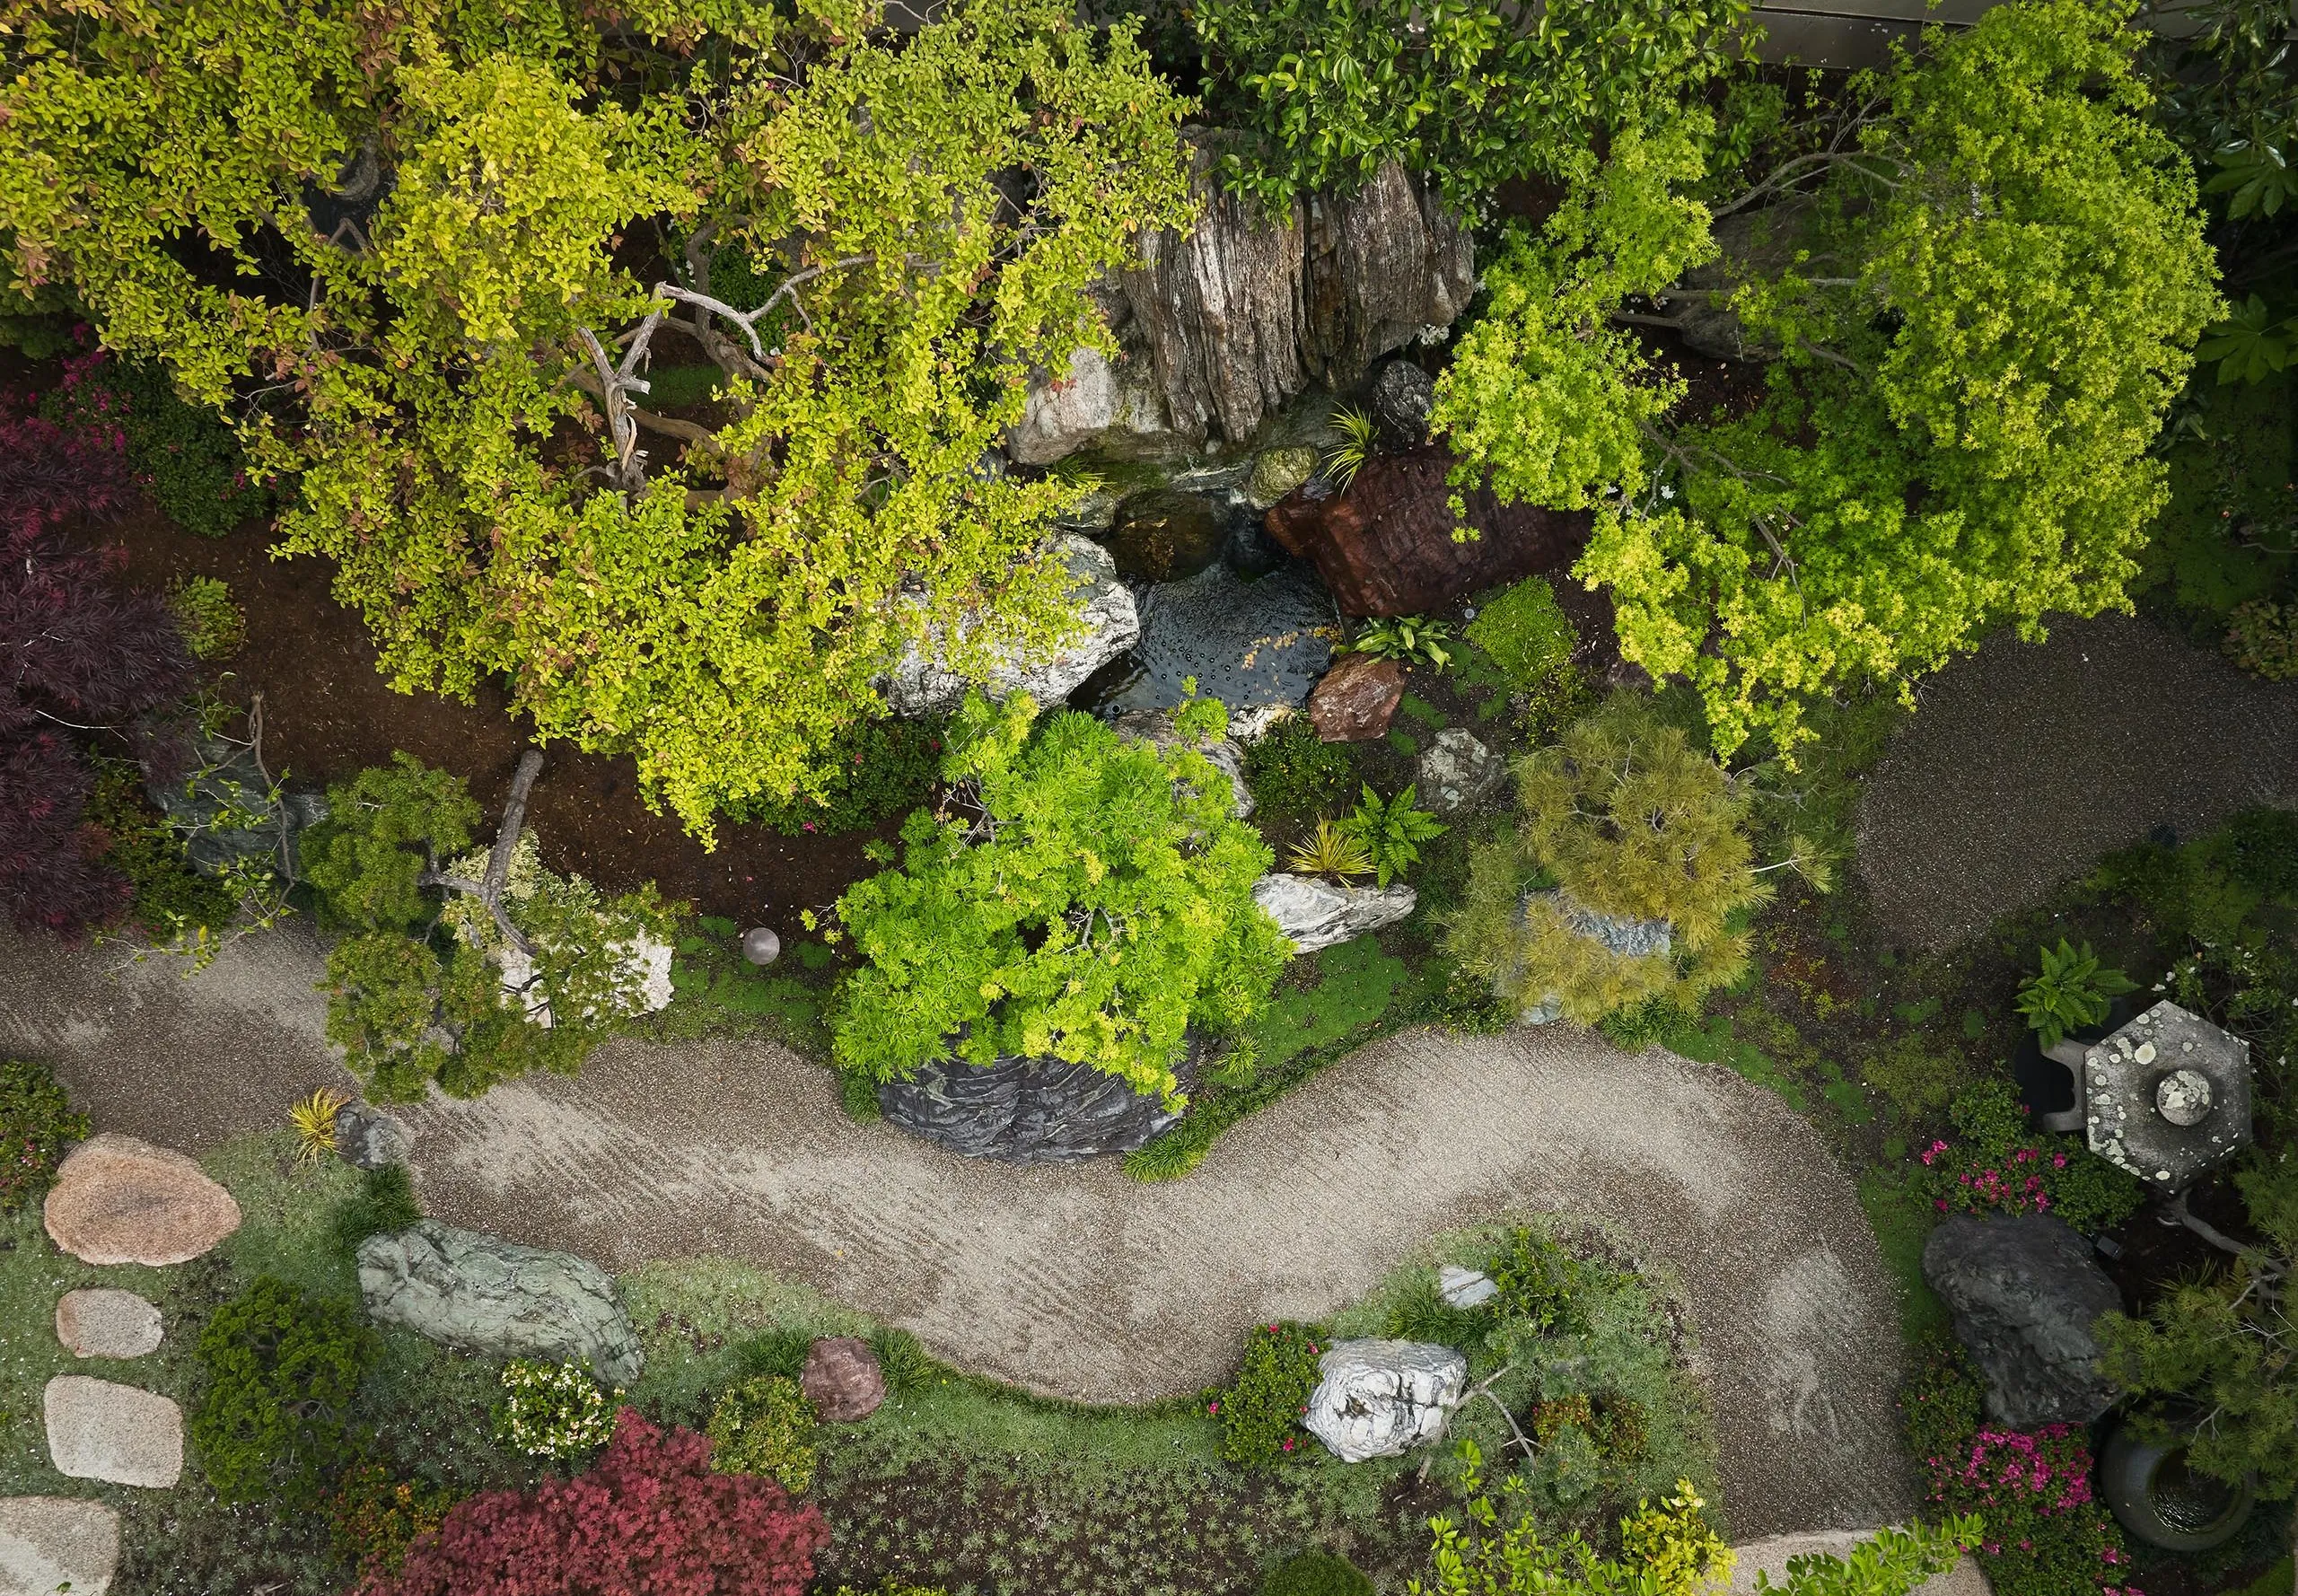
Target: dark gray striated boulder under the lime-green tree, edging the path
point(1026, 1110)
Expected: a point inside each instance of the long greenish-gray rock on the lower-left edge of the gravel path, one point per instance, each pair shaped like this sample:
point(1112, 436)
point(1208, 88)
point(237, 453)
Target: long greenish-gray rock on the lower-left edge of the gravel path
point(500, 1299)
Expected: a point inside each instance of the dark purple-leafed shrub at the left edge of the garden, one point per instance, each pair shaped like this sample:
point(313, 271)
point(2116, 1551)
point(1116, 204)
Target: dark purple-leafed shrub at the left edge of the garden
point(77, 653)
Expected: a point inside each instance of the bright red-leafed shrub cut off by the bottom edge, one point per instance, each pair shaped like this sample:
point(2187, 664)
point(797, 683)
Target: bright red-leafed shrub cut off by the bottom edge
point(649, 1521)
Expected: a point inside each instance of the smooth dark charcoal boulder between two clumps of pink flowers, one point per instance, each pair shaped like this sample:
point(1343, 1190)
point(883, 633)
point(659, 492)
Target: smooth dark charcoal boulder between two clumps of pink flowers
point(2026, 1296)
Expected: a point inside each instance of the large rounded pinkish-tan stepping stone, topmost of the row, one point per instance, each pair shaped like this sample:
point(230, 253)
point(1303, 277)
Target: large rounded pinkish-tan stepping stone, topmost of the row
point(121, 1200)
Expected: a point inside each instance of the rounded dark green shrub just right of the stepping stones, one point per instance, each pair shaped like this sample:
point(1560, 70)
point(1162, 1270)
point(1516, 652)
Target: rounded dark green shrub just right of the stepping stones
point(279, 1374)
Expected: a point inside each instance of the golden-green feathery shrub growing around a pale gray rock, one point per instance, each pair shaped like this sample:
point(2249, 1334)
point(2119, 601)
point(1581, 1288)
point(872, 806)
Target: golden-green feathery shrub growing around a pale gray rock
point(1628, 821)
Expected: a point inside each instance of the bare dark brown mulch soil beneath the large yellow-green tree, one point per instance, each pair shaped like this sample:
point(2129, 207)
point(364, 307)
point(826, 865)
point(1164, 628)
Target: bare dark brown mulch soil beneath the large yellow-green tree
point(327, 715)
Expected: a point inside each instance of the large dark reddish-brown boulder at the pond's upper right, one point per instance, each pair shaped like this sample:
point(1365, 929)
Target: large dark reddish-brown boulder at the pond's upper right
point(1385, 548)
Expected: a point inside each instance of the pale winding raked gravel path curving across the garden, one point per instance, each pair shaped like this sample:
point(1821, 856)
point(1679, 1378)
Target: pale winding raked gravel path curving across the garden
point(1077, 1280)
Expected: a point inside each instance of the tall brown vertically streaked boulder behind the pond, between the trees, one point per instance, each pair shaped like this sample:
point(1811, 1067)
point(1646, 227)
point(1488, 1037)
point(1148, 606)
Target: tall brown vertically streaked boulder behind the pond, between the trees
point(1224, 325)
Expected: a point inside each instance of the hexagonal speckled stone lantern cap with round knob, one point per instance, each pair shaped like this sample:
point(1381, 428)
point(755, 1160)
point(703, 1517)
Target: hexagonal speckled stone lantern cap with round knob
point(2168, 1097)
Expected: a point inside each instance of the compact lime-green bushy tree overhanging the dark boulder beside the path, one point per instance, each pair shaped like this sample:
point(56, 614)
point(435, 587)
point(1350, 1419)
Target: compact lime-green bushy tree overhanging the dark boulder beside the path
point(1077, 897)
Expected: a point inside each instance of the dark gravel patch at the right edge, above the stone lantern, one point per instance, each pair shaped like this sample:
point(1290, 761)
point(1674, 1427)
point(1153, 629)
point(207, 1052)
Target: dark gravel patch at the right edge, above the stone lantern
point(2028, 764)
